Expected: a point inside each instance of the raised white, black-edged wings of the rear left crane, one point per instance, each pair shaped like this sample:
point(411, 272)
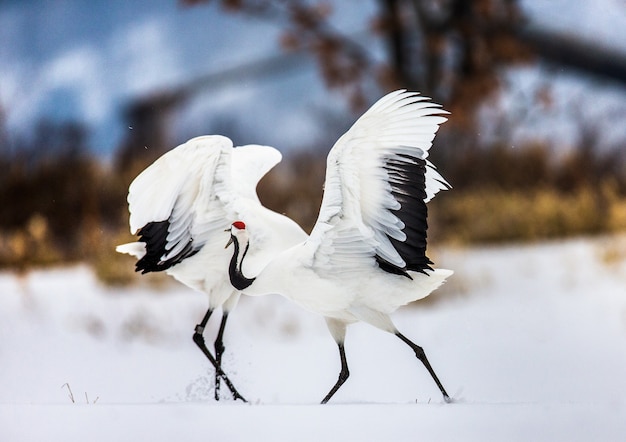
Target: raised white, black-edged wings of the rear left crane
point(188, 195)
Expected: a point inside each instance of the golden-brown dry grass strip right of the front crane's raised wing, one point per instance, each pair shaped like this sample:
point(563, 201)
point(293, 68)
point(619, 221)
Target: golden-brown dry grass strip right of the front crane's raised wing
point(494, 216)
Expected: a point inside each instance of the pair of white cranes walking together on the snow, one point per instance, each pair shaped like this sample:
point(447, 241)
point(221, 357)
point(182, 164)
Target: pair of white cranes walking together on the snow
point(365, 257)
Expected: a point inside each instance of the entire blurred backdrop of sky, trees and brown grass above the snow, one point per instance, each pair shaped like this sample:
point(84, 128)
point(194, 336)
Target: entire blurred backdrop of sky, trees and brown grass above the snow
point(93, 92)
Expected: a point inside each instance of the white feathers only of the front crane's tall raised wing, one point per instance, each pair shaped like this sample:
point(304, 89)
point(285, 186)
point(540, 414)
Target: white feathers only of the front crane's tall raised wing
point(358, 202)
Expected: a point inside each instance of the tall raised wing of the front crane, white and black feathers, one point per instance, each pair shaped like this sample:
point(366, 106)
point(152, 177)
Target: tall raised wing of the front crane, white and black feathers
point(378, 180)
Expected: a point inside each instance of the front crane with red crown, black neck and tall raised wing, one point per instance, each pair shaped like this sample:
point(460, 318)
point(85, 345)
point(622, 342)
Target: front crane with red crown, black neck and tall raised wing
point(366, 255)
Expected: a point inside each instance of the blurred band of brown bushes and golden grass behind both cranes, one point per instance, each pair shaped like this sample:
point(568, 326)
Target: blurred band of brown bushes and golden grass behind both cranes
point(60, 204)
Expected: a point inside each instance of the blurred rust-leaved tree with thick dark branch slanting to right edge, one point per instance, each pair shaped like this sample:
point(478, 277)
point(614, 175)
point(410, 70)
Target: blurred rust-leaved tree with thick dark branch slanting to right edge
point(451, 50)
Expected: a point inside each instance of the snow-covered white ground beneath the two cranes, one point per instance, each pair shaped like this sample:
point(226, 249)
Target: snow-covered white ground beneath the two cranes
point(529, 340)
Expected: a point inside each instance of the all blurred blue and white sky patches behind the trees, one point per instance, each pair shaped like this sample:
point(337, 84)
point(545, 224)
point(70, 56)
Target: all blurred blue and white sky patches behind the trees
point(74, 60)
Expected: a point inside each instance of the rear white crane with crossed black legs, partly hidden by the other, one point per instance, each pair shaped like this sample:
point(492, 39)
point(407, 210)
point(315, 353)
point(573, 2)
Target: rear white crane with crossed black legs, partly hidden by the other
point(180, 206)
